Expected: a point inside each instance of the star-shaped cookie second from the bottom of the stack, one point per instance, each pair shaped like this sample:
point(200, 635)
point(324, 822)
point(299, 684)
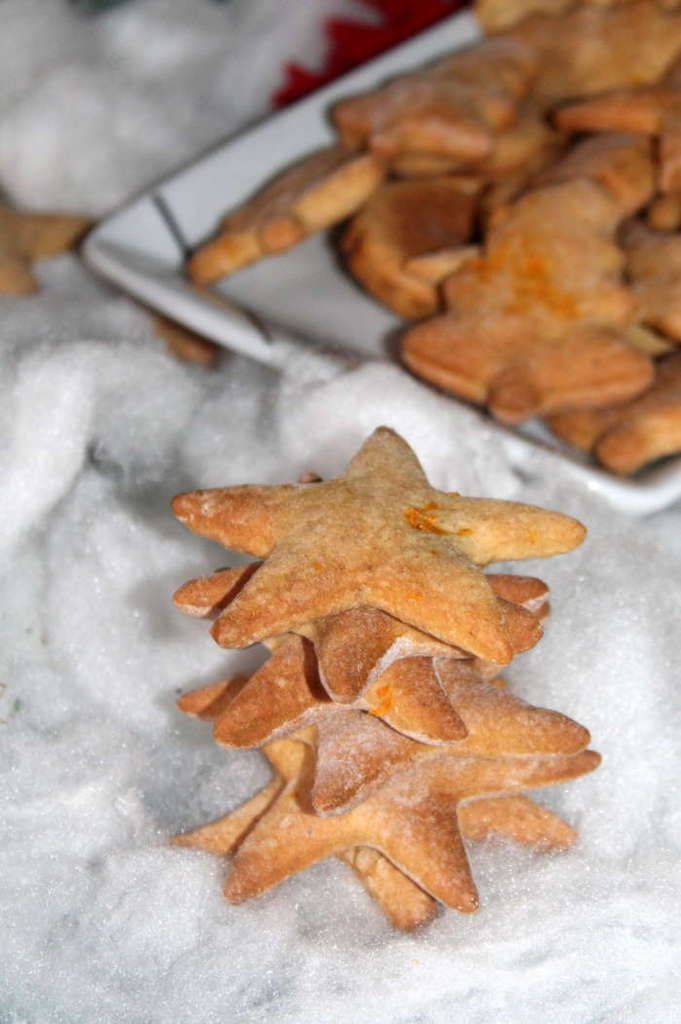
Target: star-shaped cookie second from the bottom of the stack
point(412, 821)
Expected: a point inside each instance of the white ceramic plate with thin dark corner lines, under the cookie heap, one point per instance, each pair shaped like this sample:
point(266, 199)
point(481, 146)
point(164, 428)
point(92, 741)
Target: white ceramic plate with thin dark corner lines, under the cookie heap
point(303, 295)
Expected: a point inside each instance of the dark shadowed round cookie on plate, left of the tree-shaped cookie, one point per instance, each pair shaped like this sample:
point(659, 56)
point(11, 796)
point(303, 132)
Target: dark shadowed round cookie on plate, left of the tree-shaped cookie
point(408, 238)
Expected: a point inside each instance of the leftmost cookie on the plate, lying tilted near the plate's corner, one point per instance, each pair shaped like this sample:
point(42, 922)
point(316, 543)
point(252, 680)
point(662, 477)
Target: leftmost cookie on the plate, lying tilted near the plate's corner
point(320, 191)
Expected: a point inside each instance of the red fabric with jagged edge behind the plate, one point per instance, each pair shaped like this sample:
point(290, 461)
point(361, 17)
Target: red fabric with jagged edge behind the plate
point(352, 44)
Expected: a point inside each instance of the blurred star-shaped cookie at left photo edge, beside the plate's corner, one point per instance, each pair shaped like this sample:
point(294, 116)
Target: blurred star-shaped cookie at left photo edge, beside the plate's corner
point(26, 238)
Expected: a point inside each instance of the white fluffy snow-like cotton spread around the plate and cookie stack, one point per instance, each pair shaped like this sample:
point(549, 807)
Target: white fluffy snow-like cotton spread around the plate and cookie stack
point(103, 922)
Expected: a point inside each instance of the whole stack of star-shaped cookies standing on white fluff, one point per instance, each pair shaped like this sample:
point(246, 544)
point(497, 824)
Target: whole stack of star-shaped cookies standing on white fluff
point(393, 739)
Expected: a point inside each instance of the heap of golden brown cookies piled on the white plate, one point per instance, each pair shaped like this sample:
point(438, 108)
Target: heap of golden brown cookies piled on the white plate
point(522, 199)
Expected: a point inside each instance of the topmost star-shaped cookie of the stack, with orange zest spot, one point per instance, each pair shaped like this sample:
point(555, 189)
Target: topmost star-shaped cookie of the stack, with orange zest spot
point(379, 536)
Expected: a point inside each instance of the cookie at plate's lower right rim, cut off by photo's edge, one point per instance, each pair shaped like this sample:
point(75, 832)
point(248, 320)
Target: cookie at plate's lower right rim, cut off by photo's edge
point(628, 438)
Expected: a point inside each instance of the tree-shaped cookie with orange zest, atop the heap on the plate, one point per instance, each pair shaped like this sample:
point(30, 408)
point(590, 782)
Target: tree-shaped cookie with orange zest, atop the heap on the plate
point(537, 323)
